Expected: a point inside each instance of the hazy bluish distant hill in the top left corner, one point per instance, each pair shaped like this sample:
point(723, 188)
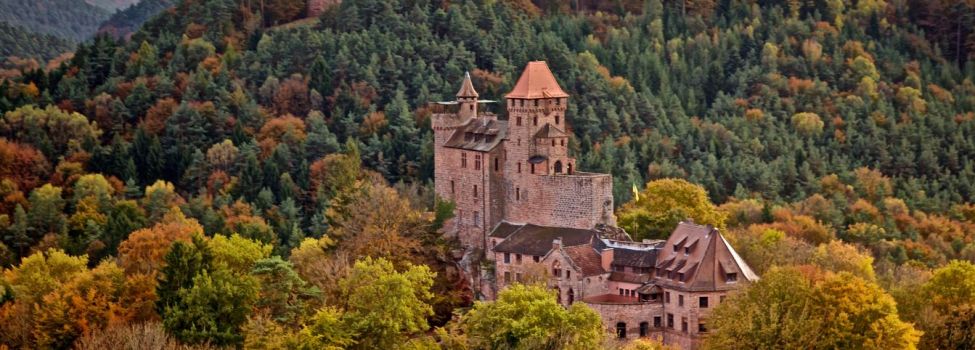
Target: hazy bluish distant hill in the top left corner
point(70, 19)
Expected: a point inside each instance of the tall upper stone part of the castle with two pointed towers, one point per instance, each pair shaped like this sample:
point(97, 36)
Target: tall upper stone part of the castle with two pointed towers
point(517, 170)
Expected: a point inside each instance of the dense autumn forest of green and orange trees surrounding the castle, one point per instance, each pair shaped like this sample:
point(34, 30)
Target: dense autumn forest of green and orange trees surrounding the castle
point(235, 174)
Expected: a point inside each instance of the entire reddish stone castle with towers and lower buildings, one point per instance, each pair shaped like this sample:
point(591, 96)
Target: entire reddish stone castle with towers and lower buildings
point(522, 204)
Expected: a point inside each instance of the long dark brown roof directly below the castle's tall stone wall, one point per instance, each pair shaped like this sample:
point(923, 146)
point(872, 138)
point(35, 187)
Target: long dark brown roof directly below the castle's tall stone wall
point(537, 240)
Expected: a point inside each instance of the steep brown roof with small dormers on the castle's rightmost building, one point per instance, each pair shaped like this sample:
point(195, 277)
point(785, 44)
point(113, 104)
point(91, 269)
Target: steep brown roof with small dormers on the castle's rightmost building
point(705, 266)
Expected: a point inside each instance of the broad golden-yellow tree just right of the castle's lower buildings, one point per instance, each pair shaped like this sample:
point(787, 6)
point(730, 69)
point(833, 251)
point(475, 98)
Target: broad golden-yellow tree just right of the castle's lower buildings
point(787, 309)
